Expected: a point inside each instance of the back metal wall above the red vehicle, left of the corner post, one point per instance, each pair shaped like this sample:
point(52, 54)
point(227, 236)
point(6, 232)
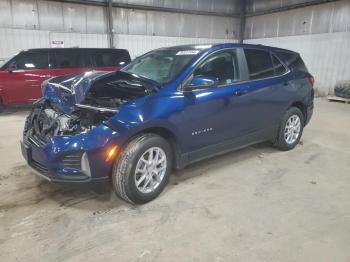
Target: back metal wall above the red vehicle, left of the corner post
point(34, 23)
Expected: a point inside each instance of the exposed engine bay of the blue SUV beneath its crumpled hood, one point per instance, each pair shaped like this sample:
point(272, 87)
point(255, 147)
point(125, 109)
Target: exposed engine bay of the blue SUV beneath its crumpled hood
point(101, 101)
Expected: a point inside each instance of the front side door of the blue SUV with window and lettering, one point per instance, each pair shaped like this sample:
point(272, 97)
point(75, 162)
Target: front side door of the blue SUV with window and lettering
point(208, 116)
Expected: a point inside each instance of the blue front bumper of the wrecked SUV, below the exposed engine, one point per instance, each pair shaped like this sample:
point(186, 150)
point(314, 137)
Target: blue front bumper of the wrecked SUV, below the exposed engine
point(50, 161)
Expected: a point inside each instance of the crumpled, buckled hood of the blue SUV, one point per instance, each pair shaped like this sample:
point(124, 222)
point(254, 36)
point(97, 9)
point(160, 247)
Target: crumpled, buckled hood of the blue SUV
point(65, 91)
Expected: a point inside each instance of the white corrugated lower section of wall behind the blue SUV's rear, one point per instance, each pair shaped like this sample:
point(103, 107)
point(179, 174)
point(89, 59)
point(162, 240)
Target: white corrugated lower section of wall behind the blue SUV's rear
point(327, 56)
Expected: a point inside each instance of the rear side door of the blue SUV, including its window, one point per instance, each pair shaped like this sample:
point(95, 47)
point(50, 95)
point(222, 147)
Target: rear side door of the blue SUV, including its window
point(268, 90)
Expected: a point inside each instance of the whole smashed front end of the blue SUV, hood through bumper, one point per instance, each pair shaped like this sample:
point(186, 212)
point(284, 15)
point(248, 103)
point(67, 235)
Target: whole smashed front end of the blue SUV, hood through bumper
point(68, 128)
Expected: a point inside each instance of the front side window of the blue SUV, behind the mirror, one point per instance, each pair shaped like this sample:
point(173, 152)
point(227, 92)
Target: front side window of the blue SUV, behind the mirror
point(222, 66)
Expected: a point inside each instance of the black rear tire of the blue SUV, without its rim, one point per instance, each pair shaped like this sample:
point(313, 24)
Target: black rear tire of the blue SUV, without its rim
point(280, 141)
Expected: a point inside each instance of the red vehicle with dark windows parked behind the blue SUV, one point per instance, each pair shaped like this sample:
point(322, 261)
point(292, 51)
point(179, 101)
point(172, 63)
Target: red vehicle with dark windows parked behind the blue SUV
point(21, 77)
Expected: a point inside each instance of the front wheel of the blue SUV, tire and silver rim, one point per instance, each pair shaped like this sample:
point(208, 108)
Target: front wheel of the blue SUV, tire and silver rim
point(143, 169)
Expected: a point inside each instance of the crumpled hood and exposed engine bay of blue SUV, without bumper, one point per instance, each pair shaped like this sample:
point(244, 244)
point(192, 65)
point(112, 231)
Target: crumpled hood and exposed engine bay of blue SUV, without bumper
point(76, 104)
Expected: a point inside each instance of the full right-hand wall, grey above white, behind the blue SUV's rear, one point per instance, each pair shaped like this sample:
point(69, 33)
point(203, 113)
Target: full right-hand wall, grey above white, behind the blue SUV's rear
point(320, 33)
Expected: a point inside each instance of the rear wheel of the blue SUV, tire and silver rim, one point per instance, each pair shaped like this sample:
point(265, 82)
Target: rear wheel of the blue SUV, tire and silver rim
point(291, 129)
